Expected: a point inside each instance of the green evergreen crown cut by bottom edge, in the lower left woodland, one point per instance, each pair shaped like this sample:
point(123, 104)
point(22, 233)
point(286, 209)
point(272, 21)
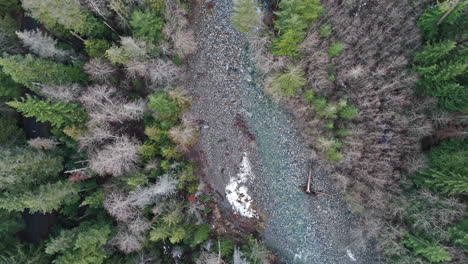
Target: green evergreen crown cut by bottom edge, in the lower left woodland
point(80, 245)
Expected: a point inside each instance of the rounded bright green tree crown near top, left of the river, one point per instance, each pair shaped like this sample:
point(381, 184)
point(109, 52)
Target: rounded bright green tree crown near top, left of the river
point(147, 25)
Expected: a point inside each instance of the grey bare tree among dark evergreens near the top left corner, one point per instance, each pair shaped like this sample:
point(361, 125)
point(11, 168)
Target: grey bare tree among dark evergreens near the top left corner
point(42, 44)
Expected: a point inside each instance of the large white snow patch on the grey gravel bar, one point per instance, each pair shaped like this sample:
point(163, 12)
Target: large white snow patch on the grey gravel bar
point(236, 191)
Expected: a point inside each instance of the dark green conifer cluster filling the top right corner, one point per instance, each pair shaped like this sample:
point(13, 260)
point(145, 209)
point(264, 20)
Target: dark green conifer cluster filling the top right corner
point(441, 64)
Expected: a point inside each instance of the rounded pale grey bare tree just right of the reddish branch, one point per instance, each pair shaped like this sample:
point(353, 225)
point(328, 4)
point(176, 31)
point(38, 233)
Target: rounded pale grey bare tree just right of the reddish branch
point(116, 158)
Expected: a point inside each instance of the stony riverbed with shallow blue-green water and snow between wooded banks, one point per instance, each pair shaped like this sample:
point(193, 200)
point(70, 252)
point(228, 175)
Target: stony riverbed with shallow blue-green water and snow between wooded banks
point(250, 145)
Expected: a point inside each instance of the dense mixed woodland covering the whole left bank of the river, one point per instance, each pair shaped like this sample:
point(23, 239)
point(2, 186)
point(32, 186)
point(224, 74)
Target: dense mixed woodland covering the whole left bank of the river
point(109, 165)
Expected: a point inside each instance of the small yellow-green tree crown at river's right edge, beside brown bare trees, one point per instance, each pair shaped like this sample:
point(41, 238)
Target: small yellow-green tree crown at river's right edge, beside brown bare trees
point(290, 81)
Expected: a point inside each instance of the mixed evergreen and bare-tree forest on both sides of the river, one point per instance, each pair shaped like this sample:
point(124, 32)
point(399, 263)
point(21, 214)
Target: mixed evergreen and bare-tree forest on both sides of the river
point(99, 146)
